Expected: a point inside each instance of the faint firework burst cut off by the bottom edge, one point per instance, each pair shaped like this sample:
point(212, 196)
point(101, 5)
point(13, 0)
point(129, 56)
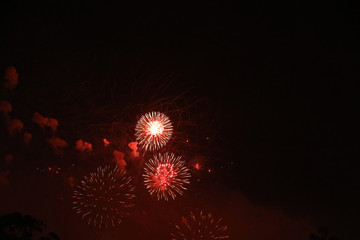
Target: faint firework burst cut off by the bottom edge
point(199, 226)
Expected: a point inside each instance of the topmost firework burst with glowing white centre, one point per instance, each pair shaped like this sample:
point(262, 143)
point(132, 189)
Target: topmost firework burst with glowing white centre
point(153, 131)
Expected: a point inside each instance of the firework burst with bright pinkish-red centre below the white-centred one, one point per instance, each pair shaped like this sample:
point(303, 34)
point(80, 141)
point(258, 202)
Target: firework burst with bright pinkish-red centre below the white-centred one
point(165, 175)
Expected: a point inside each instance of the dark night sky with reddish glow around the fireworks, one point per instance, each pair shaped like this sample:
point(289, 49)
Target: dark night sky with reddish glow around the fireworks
point(272, 85)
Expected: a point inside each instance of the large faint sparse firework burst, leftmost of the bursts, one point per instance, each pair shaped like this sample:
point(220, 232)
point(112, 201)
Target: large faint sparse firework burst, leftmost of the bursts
point(104, 198)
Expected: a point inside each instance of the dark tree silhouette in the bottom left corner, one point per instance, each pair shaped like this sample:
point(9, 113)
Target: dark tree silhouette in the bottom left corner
point(16, 226)
